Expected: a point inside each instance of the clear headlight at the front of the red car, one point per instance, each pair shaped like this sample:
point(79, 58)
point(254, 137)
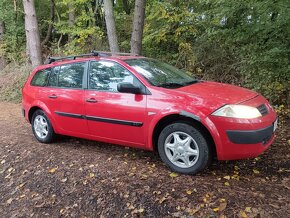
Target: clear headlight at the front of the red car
point(238, 111)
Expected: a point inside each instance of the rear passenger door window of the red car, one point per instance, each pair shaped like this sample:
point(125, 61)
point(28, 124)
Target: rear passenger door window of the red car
point(71, 75)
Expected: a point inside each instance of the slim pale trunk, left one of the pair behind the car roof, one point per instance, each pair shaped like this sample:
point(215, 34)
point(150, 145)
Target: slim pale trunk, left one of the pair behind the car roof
point(110, 24)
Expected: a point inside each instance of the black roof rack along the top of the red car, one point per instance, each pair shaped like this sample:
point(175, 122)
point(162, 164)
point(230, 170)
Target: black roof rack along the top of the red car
point(93, 53)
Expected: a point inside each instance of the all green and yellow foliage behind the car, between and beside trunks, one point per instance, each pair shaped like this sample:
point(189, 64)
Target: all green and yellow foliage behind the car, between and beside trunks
point(246, 43)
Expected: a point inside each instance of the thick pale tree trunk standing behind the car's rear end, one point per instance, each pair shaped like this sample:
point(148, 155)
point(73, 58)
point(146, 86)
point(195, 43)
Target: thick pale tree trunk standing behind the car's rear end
point(32, 33)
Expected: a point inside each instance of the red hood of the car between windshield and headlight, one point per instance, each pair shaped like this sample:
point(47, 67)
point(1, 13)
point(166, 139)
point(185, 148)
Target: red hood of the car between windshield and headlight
point(214, 95)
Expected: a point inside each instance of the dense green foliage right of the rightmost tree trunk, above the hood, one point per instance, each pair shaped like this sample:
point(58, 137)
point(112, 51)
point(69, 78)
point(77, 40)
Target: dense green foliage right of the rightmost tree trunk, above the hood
point(245, 42)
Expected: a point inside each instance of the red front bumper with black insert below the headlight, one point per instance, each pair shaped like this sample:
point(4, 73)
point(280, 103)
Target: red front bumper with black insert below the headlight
point(243, 138)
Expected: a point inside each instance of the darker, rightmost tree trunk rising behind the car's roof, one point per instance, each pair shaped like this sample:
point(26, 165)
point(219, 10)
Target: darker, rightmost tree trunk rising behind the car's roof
point(138, 25)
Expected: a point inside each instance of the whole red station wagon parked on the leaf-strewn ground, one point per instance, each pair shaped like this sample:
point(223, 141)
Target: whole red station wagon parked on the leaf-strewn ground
point(144, 103)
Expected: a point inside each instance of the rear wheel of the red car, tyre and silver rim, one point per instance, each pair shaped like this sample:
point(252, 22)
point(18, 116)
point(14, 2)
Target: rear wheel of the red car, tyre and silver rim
point(42, 128)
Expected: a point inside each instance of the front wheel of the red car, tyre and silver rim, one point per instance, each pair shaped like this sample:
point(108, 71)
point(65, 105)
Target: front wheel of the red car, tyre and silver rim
point(184, 148)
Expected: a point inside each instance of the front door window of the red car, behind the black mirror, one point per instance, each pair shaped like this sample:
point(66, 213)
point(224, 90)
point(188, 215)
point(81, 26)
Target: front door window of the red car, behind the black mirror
point(106, 75)
